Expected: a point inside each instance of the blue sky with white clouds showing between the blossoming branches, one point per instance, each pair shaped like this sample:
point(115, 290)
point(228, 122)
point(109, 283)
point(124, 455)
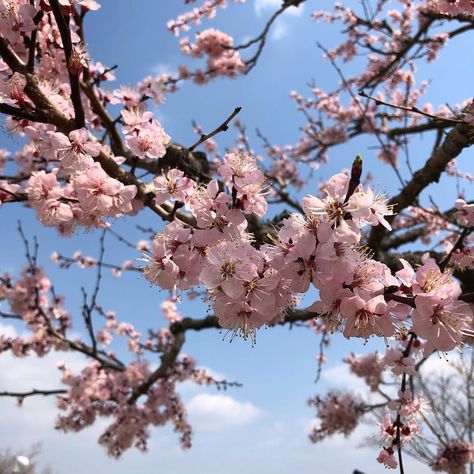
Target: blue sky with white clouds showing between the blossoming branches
point(263, 425)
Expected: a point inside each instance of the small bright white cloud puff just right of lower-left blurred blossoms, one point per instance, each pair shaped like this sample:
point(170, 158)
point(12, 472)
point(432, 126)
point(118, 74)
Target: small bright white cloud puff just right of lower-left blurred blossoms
point(215, 412)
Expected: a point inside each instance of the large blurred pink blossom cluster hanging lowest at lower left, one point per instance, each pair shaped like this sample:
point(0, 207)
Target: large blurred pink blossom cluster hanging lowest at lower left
point(99, 392)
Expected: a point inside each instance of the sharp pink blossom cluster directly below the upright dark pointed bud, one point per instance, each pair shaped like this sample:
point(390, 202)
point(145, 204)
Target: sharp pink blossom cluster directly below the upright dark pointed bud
point(321, 248)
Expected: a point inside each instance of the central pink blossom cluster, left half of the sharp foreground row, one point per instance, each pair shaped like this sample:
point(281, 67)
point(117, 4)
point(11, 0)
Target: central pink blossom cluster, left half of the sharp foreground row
point(246, 292)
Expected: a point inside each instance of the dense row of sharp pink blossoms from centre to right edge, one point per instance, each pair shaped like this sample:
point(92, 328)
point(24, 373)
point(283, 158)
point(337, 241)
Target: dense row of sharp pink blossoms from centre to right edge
point(249, 287)
